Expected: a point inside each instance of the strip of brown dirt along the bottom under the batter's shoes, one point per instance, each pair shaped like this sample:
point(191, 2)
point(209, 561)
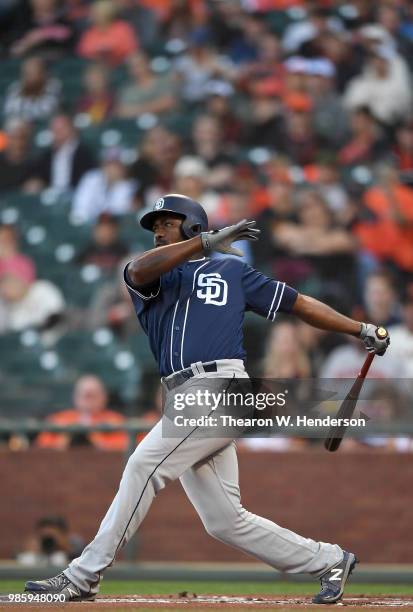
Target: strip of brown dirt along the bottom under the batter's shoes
point(190, 601)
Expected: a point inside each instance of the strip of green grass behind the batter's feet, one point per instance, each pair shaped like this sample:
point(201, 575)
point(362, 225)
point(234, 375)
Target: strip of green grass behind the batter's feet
point(130, 587)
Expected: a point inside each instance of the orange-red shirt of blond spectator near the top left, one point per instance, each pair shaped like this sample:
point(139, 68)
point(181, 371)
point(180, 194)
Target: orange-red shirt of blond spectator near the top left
point(112, 44)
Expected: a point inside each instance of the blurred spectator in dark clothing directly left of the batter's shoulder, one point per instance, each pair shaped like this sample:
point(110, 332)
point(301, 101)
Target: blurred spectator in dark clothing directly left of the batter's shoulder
point(106, 249)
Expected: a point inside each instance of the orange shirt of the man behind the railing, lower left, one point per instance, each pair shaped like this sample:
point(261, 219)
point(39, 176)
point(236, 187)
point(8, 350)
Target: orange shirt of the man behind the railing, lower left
point(117, 440)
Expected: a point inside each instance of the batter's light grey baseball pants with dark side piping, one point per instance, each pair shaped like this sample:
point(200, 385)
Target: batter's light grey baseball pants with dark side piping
point(208, 470)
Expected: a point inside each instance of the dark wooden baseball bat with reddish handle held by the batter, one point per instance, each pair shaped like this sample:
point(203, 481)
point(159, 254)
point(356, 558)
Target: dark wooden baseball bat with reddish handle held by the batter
point(346, 410)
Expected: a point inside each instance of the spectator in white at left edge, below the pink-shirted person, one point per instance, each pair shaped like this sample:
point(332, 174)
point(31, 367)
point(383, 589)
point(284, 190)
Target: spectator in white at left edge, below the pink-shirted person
point(25, 302)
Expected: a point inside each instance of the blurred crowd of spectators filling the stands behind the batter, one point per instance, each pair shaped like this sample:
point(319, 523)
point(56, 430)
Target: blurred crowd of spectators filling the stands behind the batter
point(298, 113)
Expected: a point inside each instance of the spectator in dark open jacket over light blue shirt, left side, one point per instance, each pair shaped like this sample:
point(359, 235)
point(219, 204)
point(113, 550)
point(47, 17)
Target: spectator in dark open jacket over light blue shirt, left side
point(64, 164)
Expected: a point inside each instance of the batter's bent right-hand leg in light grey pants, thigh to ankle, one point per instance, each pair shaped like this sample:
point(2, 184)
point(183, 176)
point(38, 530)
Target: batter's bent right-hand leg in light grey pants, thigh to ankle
point(213, 489)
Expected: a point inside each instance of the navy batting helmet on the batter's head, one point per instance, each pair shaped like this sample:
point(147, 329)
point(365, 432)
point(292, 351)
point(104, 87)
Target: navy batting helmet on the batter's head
point(195, 219)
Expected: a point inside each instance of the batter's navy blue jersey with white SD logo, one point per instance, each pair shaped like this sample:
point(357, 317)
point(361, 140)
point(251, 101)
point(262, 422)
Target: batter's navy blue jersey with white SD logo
point(195, 312)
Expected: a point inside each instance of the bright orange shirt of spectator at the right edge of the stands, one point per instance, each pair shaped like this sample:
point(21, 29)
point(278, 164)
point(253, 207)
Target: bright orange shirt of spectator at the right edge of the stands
point(384, 237)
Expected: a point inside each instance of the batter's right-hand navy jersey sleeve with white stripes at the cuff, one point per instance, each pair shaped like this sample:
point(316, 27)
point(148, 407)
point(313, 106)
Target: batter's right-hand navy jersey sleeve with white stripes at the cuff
point(267, 296)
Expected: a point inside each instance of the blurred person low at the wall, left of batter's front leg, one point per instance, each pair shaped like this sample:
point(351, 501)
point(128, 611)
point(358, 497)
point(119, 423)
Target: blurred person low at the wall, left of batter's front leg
point(51, 543)
